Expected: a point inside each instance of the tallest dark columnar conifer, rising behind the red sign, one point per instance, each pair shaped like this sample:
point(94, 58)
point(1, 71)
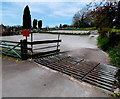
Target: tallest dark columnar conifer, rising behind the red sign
point(26, 18)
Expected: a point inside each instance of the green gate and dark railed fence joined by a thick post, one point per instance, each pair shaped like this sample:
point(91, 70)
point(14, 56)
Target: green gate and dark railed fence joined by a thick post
point(21, 50)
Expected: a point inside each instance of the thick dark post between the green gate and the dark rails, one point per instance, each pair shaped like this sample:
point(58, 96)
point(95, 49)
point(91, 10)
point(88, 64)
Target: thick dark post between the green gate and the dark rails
point(23, 49)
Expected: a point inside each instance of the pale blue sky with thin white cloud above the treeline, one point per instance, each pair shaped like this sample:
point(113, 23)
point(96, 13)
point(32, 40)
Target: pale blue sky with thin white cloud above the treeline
point(52, 13)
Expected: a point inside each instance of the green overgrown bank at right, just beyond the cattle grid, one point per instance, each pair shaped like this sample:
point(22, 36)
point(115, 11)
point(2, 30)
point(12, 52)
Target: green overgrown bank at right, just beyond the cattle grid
point(111, 45)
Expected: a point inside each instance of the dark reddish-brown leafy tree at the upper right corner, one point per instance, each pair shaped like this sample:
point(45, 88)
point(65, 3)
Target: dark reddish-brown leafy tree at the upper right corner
point(106, 14)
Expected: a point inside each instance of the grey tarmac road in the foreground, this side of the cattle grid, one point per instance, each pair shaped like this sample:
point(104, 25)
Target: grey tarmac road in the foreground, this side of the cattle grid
point(26, 79)
